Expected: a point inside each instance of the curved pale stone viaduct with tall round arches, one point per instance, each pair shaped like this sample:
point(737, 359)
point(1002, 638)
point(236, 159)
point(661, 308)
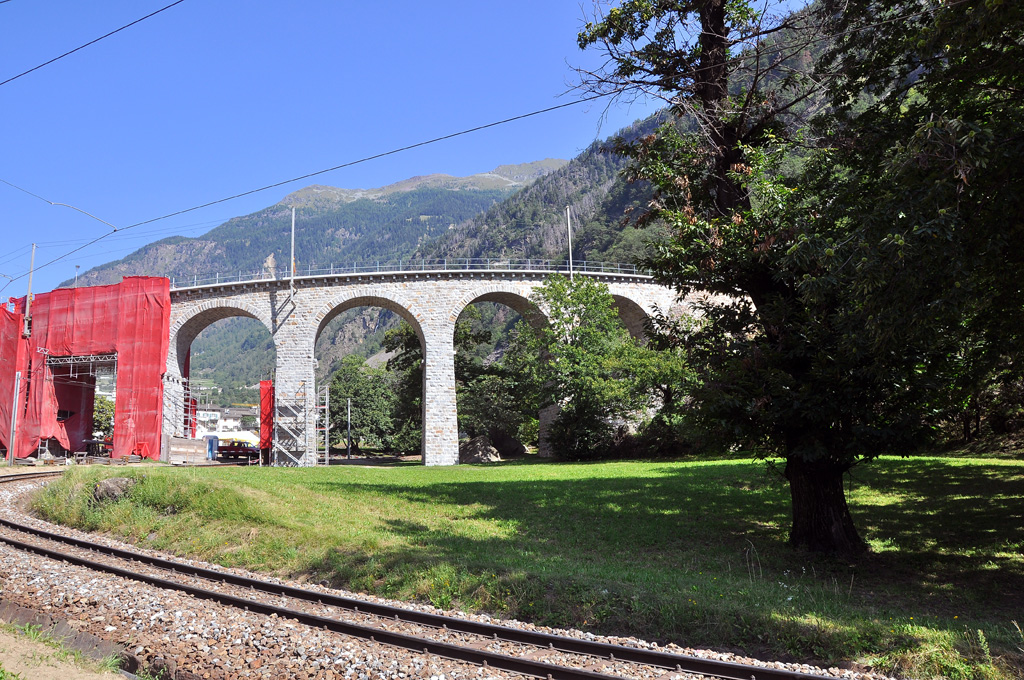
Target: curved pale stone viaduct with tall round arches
point(295, 312)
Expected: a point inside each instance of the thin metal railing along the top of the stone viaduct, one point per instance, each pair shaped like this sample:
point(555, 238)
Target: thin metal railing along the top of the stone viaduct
point(450, 265)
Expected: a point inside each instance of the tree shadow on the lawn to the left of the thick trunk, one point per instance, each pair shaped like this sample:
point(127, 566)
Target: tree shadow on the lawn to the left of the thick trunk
point(616, 516)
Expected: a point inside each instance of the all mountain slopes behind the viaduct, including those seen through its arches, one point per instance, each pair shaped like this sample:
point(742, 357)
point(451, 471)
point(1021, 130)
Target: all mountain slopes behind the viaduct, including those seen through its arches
point(514, 211)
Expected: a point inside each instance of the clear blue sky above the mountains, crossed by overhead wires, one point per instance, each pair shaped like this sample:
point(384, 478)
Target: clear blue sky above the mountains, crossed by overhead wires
point(208, 100)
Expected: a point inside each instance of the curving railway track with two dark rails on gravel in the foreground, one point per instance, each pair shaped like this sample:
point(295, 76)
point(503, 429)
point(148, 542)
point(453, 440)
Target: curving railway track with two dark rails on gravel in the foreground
point(489, 646)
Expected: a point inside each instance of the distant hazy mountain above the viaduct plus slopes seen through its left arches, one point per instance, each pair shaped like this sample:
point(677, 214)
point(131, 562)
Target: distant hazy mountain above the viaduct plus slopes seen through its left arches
point(333, 226)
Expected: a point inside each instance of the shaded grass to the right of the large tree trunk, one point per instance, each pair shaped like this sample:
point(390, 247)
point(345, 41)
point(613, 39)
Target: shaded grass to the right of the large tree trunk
point(954, 538)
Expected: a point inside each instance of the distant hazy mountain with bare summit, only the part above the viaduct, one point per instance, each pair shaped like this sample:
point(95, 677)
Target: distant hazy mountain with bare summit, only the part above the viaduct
point(333, 226)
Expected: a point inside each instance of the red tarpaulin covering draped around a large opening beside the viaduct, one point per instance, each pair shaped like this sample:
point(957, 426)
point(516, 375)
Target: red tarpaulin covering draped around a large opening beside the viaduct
point(130, 319)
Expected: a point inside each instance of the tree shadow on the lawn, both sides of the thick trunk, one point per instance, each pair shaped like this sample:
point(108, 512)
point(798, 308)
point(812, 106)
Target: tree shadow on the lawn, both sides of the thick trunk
point(951, 534)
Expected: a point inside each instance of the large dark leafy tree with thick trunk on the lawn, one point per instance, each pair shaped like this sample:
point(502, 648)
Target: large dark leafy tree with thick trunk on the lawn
point(839, 312)
